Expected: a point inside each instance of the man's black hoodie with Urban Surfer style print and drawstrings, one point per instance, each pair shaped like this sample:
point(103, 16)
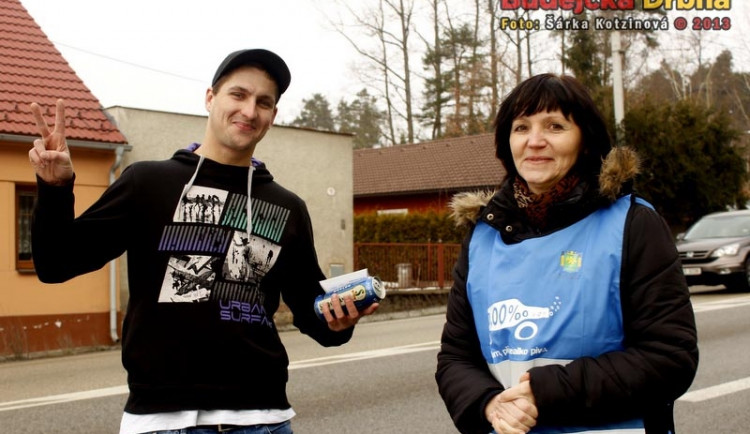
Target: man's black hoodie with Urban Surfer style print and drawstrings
point(199, 331)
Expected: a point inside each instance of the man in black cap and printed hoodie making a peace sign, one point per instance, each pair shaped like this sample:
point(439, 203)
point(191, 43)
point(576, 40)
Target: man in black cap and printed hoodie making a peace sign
point(213, 243)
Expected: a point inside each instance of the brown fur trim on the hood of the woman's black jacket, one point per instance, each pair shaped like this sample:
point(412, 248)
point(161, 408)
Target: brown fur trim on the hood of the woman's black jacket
point(620, 166)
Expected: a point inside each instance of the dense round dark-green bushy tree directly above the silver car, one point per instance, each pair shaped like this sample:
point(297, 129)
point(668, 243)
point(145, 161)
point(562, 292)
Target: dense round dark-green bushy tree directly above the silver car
point(690, 164)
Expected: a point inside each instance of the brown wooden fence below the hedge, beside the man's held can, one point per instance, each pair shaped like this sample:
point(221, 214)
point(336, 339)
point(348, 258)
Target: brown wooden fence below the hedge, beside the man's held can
point(408, 265)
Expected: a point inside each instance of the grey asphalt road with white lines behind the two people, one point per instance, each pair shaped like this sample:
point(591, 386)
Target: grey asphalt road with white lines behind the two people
point(381, 382)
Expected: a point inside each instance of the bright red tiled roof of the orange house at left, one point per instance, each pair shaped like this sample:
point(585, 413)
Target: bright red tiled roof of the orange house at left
point(32, 70)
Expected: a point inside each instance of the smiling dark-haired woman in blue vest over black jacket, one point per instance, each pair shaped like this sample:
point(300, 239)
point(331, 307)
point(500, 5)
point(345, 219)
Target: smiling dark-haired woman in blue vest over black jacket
point(569, 311)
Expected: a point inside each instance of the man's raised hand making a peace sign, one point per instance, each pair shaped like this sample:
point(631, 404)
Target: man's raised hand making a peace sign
point(50, 155)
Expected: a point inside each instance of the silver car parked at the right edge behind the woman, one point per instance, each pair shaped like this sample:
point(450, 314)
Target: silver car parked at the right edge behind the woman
point(714, 250)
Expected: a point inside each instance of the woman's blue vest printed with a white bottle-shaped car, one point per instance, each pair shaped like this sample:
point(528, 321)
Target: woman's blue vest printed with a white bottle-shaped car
point(549, 300)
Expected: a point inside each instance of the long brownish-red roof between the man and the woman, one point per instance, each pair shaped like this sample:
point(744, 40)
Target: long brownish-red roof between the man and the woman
point(460, 163)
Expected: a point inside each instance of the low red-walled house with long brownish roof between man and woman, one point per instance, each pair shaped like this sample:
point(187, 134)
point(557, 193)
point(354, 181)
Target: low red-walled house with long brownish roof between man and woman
point(423, 176)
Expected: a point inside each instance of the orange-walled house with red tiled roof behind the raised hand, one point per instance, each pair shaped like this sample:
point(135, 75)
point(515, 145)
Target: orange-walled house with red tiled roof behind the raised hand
point(35, 317)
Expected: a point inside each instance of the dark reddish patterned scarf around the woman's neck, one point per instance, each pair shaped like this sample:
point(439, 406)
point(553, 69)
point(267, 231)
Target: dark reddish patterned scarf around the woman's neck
point(536, 206)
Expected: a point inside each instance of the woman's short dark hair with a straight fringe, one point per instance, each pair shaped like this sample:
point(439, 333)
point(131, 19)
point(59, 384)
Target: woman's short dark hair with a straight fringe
point(550, 92)
